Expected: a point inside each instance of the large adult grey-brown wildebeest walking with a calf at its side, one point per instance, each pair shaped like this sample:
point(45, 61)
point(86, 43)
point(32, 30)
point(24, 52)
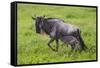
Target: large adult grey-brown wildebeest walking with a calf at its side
point(57, 29)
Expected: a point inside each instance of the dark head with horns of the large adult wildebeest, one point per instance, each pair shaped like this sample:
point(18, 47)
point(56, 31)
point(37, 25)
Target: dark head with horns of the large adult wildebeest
point(38, 23)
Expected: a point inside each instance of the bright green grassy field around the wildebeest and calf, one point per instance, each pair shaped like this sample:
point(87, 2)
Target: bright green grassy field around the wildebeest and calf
point(32, 48)
